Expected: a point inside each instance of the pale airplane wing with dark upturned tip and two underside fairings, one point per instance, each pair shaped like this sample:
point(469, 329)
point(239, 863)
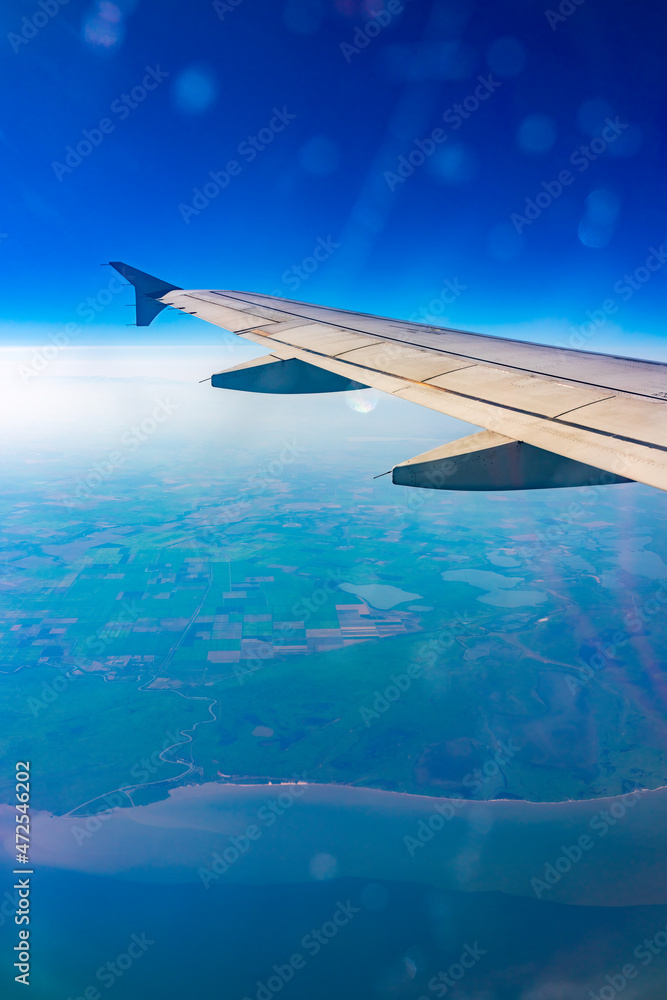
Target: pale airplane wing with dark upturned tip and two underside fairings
point(551, 416)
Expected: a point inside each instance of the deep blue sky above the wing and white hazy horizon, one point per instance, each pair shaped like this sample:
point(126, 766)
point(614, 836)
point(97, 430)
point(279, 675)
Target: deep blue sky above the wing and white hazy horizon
point(322, 106)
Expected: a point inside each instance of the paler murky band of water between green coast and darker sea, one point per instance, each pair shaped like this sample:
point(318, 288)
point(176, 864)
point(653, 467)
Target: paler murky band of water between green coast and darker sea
point(596, 852)
